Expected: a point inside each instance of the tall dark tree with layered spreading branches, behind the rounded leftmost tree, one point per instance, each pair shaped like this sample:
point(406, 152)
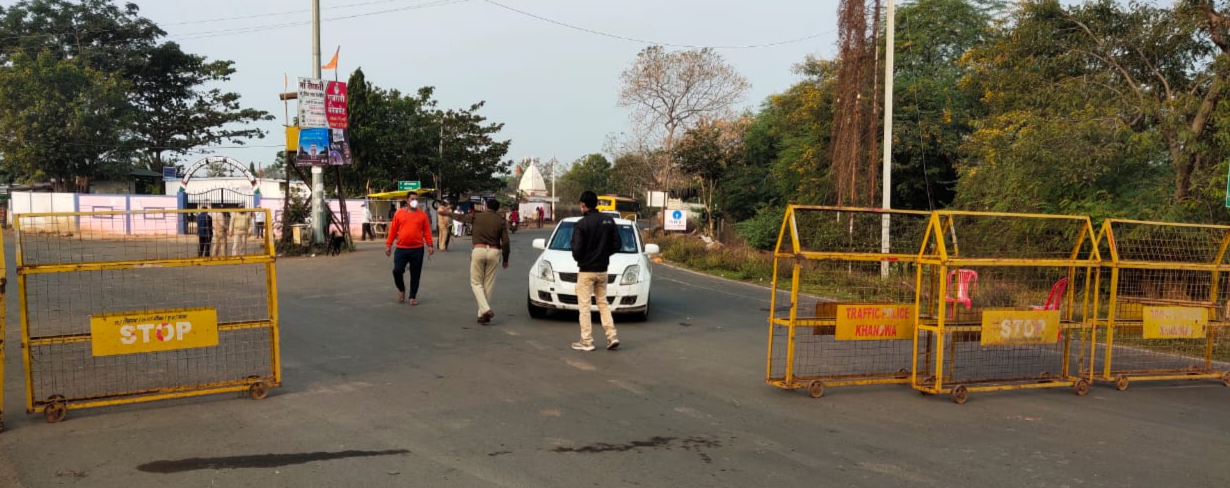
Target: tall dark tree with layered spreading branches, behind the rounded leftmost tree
point(169, 108)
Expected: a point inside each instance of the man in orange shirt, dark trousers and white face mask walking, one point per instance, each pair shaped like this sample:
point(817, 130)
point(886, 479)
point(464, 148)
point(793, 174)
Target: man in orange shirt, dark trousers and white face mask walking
point(413, 230)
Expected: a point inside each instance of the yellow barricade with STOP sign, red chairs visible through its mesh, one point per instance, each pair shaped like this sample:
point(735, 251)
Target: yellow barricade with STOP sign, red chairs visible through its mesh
point(1002, 303)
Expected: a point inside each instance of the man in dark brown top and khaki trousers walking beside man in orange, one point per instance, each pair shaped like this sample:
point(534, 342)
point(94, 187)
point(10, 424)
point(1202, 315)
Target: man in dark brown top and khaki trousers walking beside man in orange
point(491, 248)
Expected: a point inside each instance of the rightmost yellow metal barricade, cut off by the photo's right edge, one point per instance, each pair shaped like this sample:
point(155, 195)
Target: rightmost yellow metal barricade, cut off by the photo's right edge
point(1164, 305)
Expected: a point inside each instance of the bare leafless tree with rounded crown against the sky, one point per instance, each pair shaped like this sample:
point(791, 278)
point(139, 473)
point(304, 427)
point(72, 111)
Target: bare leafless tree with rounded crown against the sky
point(671, 92)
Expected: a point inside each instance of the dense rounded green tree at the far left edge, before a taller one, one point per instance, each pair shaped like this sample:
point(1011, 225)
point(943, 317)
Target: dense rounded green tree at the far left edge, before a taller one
point(61, 121)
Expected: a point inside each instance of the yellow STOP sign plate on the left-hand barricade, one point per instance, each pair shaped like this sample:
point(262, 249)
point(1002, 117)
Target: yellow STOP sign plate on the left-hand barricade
point(153, 331)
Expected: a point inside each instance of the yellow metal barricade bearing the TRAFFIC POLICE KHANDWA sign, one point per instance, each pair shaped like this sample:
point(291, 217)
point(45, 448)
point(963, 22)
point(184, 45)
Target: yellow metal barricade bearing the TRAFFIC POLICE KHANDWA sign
point(842, 310)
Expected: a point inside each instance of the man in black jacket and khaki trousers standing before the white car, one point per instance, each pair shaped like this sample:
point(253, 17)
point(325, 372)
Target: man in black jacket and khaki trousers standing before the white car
point(595, 239)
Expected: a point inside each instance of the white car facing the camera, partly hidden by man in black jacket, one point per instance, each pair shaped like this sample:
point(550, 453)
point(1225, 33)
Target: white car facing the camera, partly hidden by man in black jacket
point(554, 276)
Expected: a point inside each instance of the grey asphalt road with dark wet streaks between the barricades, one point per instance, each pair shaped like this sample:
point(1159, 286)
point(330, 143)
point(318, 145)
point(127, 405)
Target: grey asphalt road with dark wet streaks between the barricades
point(384, 395)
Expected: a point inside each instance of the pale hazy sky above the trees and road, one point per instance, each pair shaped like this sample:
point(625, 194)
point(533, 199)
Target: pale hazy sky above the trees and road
point(553, 87)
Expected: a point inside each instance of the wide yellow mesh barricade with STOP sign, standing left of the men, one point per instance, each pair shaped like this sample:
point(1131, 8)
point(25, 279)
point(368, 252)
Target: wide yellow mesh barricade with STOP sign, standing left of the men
point(136, 307)
